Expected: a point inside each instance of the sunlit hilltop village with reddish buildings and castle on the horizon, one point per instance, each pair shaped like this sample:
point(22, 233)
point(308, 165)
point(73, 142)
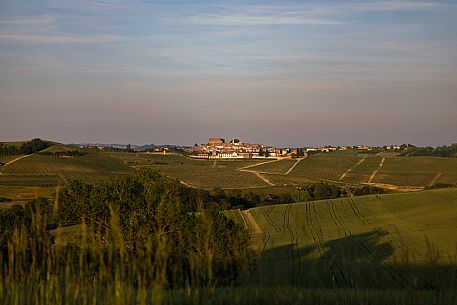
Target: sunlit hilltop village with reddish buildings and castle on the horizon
point(219, 148)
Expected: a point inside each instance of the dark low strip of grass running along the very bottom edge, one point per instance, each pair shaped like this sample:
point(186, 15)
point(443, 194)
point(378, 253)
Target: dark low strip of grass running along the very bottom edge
point(57, 291)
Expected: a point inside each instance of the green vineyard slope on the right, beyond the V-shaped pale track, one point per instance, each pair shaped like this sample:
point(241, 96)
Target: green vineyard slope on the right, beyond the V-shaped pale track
point(404, 173)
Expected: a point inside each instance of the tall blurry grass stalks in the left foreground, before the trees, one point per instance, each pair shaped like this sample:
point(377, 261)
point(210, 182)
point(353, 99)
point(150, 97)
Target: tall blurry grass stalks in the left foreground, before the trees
point(100, 267)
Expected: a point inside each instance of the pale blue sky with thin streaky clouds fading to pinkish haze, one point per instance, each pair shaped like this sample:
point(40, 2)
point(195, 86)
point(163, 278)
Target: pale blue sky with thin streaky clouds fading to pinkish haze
point(282, 73)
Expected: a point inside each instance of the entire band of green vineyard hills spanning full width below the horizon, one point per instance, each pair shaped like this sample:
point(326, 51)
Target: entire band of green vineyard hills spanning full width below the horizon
point(389, 171)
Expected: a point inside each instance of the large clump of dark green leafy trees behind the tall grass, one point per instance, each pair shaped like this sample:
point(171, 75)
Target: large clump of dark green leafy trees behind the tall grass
point(145, 229)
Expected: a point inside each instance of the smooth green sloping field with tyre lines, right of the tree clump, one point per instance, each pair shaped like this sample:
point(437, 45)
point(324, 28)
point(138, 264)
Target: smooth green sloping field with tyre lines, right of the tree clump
point(403, 240)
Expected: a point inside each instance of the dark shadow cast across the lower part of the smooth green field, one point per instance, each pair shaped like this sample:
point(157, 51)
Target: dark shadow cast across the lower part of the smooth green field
point(358, 261)
